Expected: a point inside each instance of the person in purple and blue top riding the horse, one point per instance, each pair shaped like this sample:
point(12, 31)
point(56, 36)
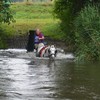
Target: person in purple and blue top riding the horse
point(39, 38)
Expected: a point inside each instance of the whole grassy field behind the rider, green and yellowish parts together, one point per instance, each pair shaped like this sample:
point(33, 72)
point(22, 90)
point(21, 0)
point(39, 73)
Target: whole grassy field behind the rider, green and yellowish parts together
point(31, 16)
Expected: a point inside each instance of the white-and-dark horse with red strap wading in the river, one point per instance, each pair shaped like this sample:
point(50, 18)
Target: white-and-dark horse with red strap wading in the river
point(46, 51)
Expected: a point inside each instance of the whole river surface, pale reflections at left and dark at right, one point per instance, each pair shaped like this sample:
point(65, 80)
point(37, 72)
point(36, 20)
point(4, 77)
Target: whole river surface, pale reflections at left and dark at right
point(25, 77)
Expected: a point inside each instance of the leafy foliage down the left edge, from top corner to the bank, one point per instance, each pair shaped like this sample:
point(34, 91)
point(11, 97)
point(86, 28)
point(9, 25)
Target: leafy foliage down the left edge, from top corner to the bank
point(6, 17)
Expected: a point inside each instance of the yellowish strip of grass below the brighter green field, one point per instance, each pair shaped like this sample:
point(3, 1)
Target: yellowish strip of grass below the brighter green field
point(29, 24)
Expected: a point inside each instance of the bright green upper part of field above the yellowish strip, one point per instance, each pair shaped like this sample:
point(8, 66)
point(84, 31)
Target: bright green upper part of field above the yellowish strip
point(33, 11)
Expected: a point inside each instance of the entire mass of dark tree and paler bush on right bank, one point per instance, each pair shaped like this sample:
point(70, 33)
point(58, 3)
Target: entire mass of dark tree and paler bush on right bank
point(80, 21)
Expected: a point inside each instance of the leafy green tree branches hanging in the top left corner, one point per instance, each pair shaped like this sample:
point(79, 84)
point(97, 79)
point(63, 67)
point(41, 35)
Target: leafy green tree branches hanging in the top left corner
point(5, 12)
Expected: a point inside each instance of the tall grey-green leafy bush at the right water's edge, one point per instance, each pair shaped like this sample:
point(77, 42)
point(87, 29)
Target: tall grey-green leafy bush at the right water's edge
point(87, 32)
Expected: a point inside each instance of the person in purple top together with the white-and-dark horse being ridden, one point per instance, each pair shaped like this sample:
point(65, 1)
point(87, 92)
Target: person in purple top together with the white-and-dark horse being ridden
point(42, 49)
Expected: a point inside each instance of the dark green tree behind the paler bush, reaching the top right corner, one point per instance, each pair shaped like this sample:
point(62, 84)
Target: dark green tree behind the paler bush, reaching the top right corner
point(66, 11)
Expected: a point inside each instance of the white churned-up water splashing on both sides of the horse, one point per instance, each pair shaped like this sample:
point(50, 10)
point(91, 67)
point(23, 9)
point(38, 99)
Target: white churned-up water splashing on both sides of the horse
point(22, 53)
